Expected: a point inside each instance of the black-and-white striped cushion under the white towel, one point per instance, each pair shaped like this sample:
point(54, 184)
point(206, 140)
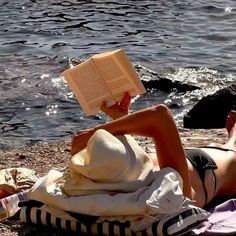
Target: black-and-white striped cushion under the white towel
point(177, 224)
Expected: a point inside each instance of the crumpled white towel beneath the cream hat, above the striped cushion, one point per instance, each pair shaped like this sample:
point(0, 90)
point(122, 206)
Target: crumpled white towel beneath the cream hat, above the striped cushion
point(163, 196)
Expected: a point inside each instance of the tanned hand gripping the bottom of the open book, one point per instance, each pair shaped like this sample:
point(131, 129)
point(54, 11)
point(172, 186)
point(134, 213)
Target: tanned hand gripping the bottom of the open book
point(119, 109)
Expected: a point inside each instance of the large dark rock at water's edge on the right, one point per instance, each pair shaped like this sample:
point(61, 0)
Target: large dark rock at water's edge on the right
point(212, 110)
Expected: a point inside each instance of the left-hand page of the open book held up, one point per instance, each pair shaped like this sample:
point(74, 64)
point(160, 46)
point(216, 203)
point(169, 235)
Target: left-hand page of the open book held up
point(88, 87)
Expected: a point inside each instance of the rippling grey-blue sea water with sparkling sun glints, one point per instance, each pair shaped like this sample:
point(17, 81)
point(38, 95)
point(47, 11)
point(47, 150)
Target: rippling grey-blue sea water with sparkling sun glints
point(189, 41)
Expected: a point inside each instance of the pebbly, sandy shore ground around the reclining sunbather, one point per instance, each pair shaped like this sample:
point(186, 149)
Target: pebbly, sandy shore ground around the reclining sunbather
point(43, 156)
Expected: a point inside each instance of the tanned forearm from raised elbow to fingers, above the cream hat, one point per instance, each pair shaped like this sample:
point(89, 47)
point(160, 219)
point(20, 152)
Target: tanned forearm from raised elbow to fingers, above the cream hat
point(150, 122)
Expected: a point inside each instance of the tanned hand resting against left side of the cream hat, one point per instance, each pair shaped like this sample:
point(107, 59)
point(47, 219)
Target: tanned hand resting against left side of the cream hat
point(80, 140)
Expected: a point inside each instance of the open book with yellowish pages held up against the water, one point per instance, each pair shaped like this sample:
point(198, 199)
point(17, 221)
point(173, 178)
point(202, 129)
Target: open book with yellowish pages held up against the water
point(103, 77)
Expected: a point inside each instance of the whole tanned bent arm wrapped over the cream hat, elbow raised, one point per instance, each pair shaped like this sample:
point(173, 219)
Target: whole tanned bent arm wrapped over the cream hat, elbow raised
point(156, 122)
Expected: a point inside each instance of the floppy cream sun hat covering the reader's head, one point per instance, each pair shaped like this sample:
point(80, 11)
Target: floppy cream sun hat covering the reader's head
point(108, 163)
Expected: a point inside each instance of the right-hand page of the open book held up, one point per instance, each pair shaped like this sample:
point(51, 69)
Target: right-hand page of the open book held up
point(119, 74)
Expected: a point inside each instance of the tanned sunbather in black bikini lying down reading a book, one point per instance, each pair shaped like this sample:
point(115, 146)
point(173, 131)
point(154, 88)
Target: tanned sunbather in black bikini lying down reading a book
point(207, 172)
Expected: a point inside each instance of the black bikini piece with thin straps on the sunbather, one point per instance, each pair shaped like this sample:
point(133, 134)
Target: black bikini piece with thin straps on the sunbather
point(201, 161)
